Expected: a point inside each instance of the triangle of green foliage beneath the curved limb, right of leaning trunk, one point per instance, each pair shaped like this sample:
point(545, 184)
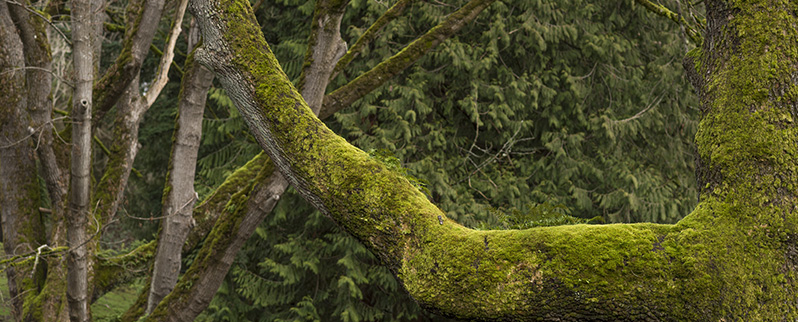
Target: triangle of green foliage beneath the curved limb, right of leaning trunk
point(304, 268)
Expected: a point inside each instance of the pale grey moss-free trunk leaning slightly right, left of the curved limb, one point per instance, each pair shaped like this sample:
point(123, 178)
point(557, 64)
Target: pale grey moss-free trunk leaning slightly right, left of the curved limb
point(180, 197)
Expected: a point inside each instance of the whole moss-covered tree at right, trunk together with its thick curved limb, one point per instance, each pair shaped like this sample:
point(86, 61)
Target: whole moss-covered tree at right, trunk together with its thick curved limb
point(733, 258)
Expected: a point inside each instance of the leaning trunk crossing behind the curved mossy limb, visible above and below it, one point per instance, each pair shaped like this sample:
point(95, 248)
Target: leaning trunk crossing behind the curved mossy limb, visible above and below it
point(325, 48)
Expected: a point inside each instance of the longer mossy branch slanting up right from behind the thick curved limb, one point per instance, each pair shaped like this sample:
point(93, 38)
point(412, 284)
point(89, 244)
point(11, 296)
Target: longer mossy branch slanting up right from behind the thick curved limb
point(363, 84)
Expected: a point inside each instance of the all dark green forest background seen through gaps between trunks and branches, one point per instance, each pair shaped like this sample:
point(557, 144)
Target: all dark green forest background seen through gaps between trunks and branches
point(536, 113)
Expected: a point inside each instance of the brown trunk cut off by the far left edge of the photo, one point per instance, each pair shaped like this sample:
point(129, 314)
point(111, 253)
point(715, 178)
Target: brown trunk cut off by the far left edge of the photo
point(19, 192)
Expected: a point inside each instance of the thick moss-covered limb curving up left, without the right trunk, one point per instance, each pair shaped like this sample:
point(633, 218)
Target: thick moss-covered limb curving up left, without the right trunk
point(623, 272)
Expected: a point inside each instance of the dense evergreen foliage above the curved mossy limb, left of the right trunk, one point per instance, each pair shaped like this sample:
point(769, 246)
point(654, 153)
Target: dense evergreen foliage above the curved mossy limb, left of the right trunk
point(562, 103)
